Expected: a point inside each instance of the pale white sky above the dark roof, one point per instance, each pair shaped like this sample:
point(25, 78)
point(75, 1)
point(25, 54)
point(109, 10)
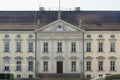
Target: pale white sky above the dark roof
point(21, 5)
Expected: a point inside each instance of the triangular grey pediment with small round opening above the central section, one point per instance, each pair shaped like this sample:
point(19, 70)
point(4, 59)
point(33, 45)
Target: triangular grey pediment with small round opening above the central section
point(59, 26)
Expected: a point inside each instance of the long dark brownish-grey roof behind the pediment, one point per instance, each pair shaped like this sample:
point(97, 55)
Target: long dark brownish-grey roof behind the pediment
point(91, 20)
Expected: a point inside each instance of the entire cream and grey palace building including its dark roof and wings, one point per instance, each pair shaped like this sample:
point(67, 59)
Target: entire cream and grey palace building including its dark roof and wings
point(78, 43)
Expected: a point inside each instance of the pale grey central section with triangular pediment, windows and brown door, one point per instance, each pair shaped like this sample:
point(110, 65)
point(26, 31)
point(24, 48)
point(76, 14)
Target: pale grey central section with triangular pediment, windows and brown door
point(59, 48)
